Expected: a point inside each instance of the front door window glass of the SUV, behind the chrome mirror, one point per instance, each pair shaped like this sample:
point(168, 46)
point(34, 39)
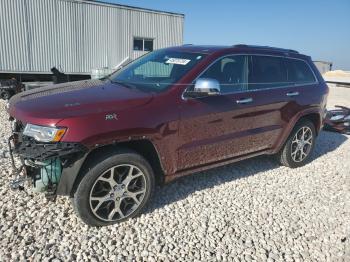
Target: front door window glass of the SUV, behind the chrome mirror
point(231, 73)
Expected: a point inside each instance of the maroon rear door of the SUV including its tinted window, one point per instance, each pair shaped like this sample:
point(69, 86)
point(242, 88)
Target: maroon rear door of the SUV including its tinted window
point(269, 87)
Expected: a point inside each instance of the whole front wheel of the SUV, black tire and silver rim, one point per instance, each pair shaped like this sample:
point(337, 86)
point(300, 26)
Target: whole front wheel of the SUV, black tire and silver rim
point(101, 199)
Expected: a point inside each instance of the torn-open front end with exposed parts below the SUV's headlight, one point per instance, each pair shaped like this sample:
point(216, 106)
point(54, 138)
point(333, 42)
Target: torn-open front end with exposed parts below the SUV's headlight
point(50, 167)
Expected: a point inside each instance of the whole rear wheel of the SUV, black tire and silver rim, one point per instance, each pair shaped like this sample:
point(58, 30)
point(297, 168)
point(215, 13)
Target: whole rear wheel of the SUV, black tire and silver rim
point(290, 155)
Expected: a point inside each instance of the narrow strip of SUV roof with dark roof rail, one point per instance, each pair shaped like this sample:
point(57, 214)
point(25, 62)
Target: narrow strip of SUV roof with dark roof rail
point(208, 49)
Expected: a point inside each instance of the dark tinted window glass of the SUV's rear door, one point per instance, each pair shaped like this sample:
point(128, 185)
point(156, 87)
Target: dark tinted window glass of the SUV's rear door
point(267, 72)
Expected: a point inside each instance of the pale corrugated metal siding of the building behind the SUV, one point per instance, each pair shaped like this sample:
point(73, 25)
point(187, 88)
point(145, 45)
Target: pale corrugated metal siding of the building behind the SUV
point(77, 36)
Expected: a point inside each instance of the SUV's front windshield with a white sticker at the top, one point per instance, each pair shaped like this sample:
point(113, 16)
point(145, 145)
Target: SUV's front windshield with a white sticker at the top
point(157, 70)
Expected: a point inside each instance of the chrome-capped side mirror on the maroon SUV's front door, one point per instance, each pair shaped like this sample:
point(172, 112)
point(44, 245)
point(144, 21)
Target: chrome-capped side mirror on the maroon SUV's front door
point(205, 87)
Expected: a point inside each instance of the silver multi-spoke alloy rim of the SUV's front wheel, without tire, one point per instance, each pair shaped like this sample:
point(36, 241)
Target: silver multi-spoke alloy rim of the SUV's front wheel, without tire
point(117, 192)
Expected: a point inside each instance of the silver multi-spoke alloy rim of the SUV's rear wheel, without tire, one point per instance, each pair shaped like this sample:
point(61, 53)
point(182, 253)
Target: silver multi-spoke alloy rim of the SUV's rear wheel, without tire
point(301, 144)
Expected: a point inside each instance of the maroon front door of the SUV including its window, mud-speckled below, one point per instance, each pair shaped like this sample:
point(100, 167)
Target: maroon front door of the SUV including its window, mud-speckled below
point(215, 128)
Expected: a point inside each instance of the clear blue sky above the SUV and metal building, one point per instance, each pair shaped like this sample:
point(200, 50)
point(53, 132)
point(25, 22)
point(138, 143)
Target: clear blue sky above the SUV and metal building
point(317, 28)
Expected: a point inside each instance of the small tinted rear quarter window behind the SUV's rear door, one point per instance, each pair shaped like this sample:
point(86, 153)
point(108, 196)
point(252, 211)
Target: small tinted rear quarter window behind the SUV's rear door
point(299, 72)
